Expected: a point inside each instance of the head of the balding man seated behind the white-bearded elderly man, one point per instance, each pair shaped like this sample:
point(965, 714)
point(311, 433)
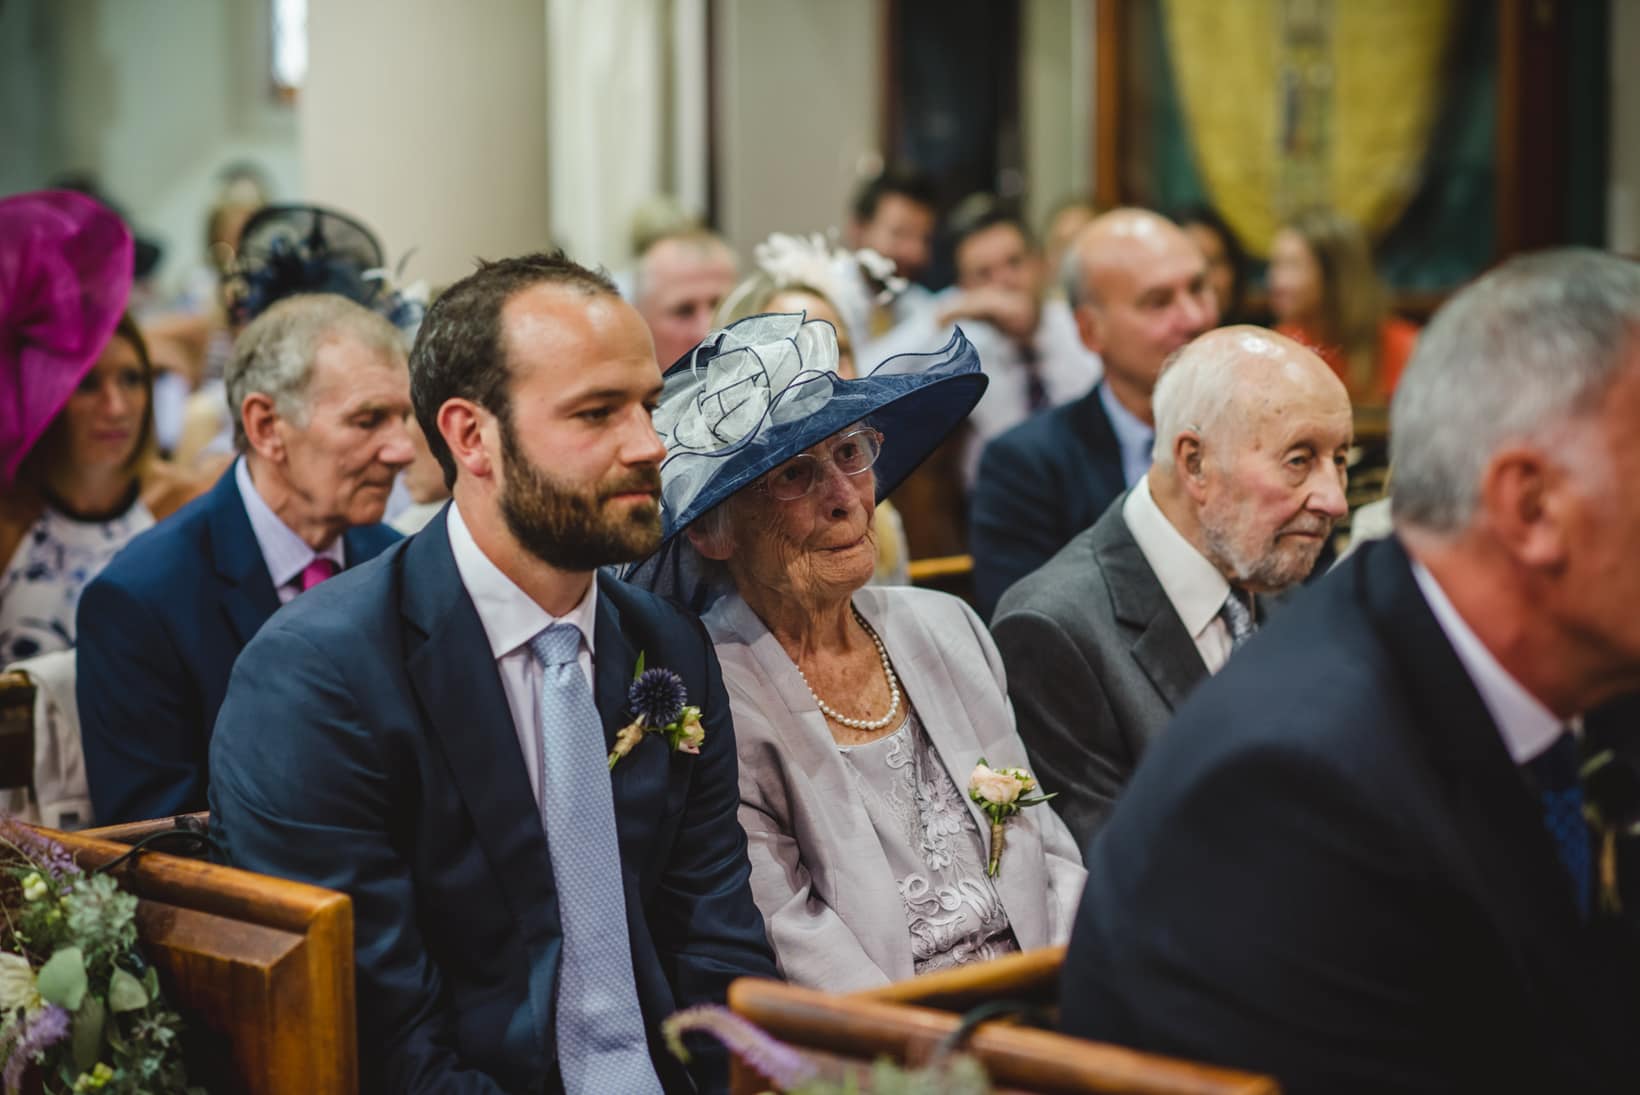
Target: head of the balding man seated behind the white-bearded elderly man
point(1141, 291)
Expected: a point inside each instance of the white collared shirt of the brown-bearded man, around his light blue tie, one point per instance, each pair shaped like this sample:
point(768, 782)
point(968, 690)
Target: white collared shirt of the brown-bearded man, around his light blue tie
point(512, 619)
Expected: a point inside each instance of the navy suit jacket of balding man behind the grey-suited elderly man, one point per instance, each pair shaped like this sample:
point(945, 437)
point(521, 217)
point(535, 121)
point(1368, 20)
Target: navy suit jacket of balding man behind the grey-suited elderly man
point(1039, 486)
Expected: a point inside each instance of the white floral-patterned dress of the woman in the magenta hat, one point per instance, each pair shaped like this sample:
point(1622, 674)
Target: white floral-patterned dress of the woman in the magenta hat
point(42, 583)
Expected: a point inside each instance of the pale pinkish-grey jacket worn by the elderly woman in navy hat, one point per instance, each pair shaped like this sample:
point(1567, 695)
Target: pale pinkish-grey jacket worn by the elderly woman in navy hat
point(819, 873)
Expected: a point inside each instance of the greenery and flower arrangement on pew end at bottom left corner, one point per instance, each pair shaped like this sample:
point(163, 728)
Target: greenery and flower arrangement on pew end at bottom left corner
point(78, 1002)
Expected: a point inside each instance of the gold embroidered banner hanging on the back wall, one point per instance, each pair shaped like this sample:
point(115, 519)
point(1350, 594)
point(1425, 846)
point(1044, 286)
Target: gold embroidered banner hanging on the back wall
point(1308, 102)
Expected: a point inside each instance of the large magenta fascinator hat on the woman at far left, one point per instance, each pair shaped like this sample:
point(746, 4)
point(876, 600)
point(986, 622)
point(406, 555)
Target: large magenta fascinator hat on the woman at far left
point(65, 279)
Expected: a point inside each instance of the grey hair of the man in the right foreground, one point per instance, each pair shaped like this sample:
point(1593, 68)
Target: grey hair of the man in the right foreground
point(1511, 358)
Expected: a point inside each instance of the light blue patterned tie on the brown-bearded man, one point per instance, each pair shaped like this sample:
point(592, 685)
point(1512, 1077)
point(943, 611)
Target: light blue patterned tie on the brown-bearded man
point(601, 1035)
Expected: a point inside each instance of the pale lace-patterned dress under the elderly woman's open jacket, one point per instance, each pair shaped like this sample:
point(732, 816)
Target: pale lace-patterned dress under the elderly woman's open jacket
point(934, 848)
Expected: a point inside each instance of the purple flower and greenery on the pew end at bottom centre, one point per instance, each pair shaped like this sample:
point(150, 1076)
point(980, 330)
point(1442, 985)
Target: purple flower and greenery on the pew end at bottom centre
point(796, 1075)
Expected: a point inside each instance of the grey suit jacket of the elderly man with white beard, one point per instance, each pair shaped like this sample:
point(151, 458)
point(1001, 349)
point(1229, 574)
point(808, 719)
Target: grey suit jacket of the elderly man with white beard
point(1098, 661)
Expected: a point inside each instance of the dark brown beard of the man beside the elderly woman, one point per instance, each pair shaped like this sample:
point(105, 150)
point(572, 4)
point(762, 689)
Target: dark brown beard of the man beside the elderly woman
point(568, 527)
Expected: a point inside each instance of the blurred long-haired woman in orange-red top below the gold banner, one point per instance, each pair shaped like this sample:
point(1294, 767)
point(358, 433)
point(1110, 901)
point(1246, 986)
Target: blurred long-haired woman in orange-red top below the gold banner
point(1326, 294)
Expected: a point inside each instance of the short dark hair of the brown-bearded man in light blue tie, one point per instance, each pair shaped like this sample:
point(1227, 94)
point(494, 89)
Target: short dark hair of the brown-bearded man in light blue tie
point(460, 352)
